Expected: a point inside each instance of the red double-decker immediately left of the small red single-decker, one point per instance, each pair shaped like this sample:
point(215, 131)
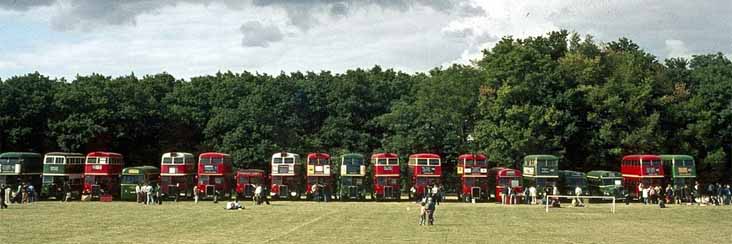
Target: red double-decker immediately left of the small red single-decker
point(214, 174)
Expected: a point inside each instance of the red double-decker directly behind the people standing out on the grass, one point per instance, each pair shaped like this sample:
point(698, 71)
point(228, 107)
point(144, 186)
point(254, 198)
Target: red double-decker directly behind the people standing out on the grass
point(425, 169)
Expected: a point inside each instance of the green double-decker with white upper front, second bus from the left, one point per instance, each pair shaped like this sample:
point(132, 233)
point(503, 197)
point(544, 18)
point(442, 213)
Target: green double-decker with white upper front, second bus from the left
point(62, 172)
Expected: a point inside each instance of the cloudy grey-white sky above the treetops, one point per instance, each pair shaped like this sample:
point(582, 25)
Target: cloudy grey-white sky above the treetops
point(63, 38)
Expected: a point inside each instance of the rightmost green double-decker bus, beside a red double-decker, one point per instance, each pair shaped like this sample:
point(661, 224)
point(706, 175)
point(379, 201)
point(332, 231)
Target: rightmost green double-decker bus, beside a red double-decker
point(682, 168)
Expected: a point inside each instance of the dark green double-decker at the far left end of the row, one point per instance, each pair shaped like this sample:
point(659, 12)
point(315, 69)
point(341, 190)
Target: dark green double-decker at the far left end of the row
point(20, 167)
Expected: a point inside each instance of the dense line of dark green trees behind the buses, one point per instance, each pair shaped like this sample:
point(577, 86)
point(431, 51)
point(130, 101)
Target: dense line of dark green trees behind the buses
point(561, 94)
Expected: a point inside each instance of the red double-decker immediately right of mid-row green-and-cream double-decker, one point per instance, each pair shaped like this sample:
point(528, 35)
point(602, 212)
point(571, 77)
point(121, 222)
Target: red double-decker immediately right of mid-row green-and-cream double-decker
point(386, 176)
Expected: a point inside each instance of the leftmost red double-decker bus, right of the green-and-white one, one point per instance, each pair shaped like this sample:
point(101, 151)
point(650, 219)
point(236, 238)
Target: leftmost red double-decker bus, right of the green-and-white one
point(101, 173)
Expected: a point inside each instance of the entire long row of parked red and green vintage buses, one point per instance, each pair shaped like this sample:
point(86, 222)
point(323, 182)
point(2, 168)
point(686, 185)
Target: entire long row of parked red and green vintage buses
point(103, 173)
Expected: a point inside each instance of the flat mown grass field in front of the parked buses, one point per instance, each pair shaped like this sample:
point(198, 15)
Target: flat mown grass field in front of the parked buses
point(366, 222)
